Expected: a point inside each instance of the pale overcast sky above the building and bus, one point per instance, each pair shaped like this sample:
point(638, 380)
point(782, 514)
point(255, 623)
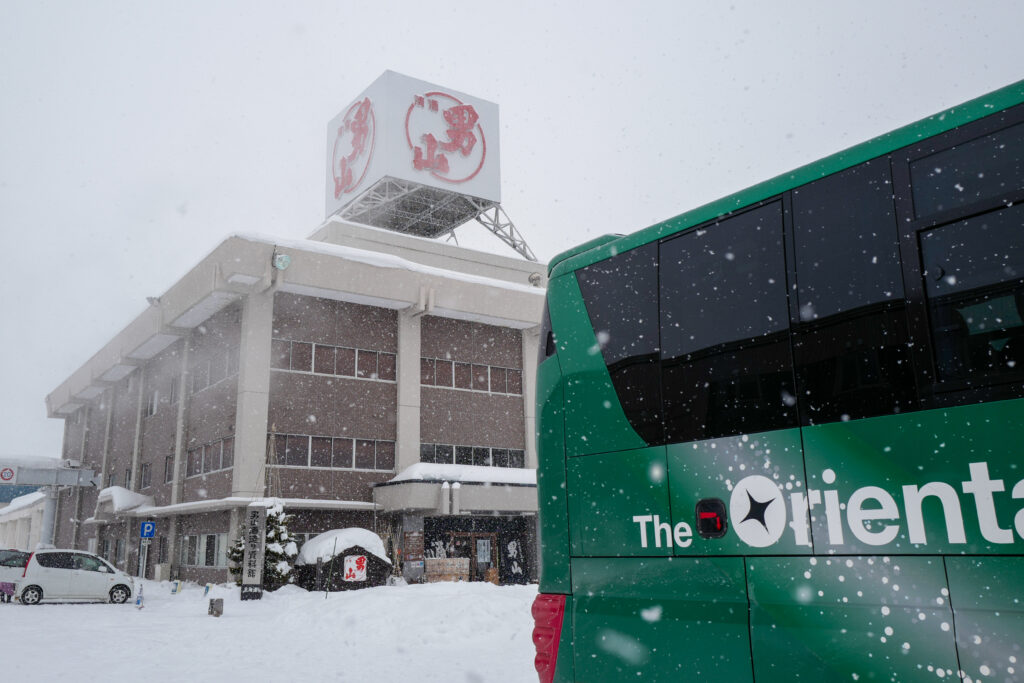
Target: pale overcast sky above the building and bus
point(136, 137)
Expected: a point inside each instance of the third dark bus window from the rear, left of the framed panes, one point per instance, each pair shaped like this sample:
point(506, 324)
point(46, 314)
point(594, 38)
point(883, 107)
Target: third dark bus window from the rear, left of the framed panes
point(850, 348)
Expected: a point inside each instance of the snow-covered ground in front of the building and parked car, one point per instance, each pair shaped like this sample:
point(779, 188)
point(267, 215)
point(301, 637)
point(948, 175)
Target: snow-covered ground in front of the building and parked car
point(460, 633)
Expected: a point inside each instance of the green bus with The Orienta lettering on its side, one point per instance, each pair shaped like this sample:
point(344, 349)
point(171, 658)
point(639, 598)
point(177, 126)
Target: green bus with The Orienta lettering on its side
point(782, 437)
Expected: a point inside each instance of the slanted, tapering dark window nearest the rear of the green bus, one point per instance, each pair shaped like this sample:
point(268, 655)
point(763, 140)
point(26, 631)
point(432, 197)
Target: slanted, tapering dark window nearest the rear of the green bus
point(621, 294)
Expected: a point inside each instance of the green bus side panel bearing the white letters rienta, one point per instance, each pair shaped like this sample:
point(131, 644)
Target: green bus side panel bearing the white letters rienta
point(916, 476)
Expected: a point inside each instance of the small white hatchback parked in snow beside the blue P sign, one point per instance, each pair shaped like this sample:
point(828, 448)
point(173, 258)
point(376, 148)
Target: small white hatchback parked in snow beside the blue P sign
point(67, 576)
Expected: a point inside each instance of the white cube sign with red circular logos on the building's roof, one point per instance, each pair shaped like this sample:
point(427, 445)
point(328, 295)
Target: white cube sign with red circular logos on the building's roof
point(416, 132)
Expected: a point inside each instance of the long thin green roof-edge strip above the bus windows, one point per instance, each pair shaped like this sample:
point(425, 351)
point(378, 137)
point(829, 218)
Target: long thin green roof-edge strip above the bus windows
point(915, 133)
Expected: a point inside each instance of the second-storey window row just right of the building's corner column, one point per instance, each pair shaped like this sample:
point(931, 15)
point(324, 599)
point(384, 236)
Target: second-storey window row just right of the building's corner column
point(330, 452)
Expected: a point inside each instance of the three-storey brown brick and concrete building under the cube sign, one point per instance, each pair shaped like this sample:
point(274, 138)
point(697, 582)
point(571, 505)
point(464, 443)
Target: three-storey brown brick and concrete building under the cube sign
point(368, 378)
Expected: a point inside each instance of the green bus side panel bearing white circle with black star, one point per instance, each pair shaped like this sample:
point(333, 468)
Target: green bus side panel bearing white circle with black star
point(767, 467)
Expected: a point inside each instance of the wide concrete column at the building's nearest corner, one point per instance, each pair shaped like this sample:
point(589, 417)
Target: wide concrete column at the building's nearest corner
point(254, 396)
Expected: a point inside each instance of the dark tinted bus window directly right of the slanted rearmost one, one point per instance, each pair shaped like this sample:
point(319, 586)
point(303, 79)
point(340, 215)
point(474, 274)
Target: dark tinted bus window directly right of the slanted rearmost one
point(727, 361)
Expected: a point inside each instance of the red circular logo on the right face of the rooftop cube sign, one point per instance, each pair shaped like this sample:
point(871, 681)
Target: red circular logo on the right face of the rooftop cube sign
point(449, 140)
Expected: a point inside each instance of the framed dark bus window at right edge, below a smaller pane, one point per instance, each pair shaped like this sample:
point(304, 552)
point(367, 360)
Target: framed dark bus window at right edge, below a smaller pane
point(974, 280)
